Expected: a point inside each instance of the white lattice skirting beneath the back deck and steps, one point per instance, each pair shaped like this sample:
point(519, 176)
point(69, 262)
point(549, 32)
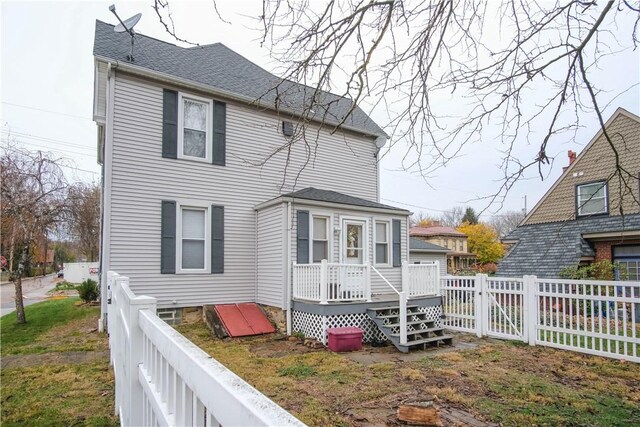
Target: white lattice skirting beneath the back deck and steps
point(316, 325)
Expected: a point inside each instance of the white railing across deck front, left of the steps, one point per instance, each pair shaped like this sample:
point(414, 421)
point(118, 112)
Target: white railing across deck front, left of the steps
point(325, 282)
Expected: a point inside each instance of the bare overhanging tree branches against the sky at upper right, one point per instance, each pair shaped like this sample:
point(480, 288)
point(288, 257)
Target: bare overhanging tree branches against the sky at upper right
point(450, 71)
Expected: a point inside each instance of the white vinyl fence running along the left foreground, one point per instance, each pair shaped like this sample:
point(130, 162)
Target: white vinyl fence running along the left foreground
point(163, 379)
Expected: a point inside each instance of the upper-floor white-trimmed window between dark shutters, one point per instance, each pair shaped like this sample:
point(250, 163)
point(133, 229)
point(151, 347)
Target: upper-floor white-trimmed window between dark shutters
point(194, 127)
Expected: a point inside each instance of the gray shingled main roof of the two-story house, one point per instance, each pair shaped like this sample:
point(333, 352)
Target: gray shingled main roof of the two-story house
point(221, 68)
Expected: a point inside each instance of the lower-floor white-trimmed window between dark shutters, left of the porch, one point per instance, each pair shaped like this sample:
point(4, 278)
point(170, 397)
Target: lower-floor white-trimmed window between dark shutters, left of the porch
point(194, 239)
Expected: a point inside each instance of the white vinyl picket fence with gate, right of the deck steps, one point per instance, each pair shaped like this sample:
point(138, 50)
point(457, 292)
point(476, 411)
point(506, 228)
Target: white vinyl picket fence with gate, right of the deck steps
point(594, 317)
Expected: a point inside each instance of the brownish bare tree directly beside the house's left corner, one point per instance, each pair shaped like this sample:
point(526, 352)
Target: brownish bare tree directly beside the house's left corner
point(83, 217)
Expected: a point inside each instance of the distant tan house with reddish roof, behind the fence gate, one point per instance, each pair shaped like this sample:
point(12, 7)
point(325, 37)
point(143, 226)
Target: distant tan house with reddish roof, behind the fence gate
point(458, 258)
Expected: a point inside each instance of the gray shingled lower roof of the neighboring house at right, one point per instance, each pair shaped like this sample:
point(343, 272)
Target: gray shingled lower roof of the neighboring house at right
point(545, 249)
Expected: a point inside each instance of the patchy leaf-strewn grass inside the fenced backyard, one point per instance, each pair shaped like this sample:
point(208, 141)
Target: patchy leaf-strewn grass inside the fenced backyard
point(490, 381)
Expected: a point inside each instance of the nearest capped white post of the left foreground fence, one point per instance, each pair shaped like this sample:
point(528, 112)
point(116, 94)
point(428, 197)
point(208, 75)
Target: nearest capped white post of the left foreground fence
point(135, 356)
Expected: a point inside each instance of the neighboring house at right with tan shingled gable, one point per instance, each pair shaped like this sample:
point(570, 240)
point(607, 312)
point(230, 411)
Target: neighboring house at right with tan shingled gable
point(589, 214)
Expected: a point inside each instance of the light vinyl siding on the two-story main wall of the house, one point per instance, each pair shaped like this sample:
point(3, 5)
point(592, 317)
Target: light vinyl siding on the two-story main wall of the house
point(142, 178)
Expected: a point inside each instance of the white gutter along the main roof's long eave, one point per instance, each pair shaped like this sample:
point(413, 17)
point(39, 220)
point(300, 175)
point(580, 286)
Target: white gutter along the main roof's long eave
point(145, 72)
